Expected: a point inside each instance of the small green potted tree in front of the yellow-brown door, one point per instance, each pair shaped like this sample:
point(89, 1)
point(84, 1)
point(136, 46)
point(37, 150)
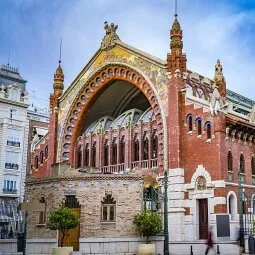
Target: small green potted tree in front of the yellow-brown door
point(62, 219)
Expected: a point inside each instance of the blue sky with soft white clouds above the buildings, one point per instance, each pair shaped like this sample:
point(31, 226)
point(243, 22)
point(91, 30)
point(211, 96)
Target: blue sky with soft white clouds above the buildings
point(223, 29)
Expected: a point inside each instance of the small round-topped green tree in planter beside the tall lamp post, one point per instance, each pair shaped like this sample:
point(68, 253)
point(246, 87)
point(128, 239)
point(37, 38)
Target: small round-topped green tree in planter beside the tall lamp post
point(148, 223)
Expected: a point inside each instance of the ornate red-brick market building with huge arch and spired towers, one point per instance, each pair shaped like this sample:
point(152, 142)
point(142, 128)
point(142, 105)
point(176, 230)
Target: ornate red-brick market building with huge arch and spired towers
point(125, 119)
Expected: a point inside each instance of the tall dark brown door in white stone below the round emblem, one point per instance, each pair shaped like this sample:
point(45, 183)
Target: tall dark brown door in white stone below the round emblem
point(203, 218)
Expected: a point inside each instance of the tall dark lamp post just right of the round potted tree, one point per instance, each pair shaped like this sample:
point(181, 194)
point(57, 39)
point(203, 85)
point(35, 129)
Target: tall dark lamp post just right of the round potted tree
point(166, 236)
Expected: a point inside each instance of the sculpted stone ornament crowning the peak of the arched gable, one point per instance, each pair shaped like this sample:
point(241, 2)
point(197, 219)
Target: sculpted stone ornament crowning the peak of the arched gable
point(110, 37)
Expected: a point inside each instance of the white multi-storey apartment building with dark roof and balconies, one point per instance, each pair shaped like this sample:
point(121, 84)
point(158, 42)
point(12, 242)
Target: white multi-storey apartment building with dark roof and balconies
point(13, 146)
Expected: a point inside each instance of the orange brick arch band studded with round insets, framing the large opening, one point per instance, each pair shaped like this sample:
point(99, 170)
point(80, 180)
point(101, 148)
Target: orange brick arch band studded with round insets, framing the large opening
point(89, 93)
